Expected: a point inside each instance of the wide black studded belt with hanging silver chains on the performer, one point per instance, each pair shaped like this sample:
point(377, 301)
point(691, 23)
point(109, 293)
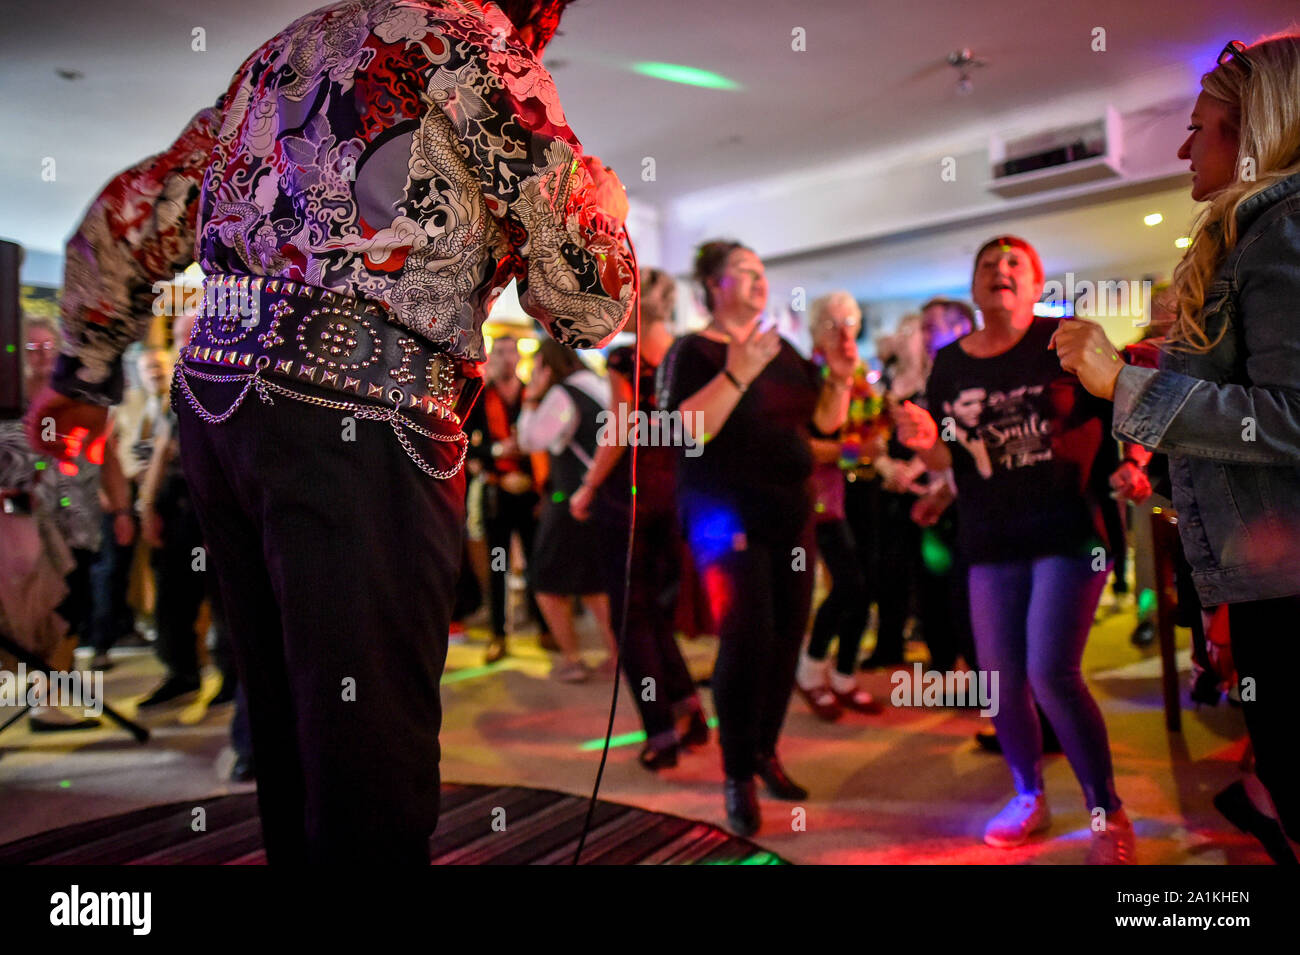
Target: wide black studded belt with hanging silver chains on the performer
point(271, 333)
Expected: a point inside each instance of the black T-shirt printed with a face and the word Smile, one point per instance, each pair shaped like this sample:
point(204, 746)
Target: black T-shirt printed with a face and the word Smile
point(1032, 452)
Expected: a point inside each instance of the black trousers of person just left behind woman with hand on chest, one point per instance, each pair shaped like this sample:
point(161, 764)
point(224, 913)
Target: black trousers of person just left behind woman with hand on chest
point(651, 650)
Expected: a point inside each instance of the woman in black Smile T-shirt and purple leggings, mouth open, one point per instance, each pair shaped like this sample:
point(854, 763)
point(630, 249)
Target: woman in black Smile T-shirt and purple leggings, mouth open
point(1032, 454)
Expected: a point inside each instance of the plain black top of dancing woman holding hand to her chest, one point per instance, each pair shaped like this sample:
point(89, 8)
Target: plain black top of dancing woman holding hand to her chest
point(760, 462)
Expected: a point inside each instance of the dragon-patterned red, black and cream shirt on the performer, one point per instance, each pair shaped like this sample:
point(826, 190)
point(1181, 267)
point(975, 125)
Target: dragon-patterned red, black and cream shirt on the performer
point(408, 153)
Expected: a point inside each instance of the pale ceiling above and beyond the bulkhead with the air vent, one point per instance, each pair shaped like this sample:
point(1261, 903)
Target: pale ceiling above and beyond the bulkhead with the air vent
point(873, 77)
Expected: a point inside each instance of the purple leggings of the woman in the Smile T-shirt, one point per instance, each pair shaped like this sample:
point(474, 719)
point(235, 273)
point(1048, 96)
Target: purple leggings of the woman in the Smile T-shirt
point(1032, 619)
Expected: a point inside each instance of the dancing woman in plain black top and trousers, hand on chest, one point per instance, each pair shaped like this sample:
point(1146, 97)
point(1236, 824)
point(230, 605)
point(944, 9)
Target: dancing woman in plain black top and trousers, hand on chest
point(751, 402)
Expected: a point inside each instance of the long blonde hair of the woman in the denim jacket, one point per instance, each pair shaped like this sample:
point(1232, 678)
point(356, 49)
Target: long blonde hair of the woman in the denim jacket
point(1264, 103)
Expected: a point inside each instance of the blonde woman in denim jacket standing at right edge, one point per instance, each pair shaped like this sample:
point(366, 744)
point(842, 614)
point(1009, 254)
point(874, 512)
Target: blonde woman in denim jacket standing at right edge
point(1225, 402)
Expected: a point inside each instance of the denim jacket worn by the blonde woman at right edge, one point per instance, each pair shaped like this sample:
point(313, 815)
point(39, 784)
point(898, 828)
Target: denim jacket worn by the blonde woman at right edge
point(1230, 419)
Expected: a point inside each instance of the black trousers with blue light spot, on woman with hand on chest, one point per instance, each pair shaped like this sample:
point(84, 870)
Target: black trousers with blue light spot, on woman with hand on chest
point(760, 594)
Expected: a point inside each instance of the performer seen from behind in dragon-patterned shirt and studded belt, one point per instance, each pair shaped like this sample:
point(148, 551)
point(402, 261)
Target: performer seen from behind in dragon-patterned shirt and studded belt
point(374, 176)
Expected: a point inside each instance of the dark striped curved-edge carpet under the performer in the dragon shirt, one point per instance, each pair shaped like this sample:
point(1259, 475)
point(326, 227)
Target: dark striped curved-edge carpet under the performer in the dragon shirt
point(541, 830)
